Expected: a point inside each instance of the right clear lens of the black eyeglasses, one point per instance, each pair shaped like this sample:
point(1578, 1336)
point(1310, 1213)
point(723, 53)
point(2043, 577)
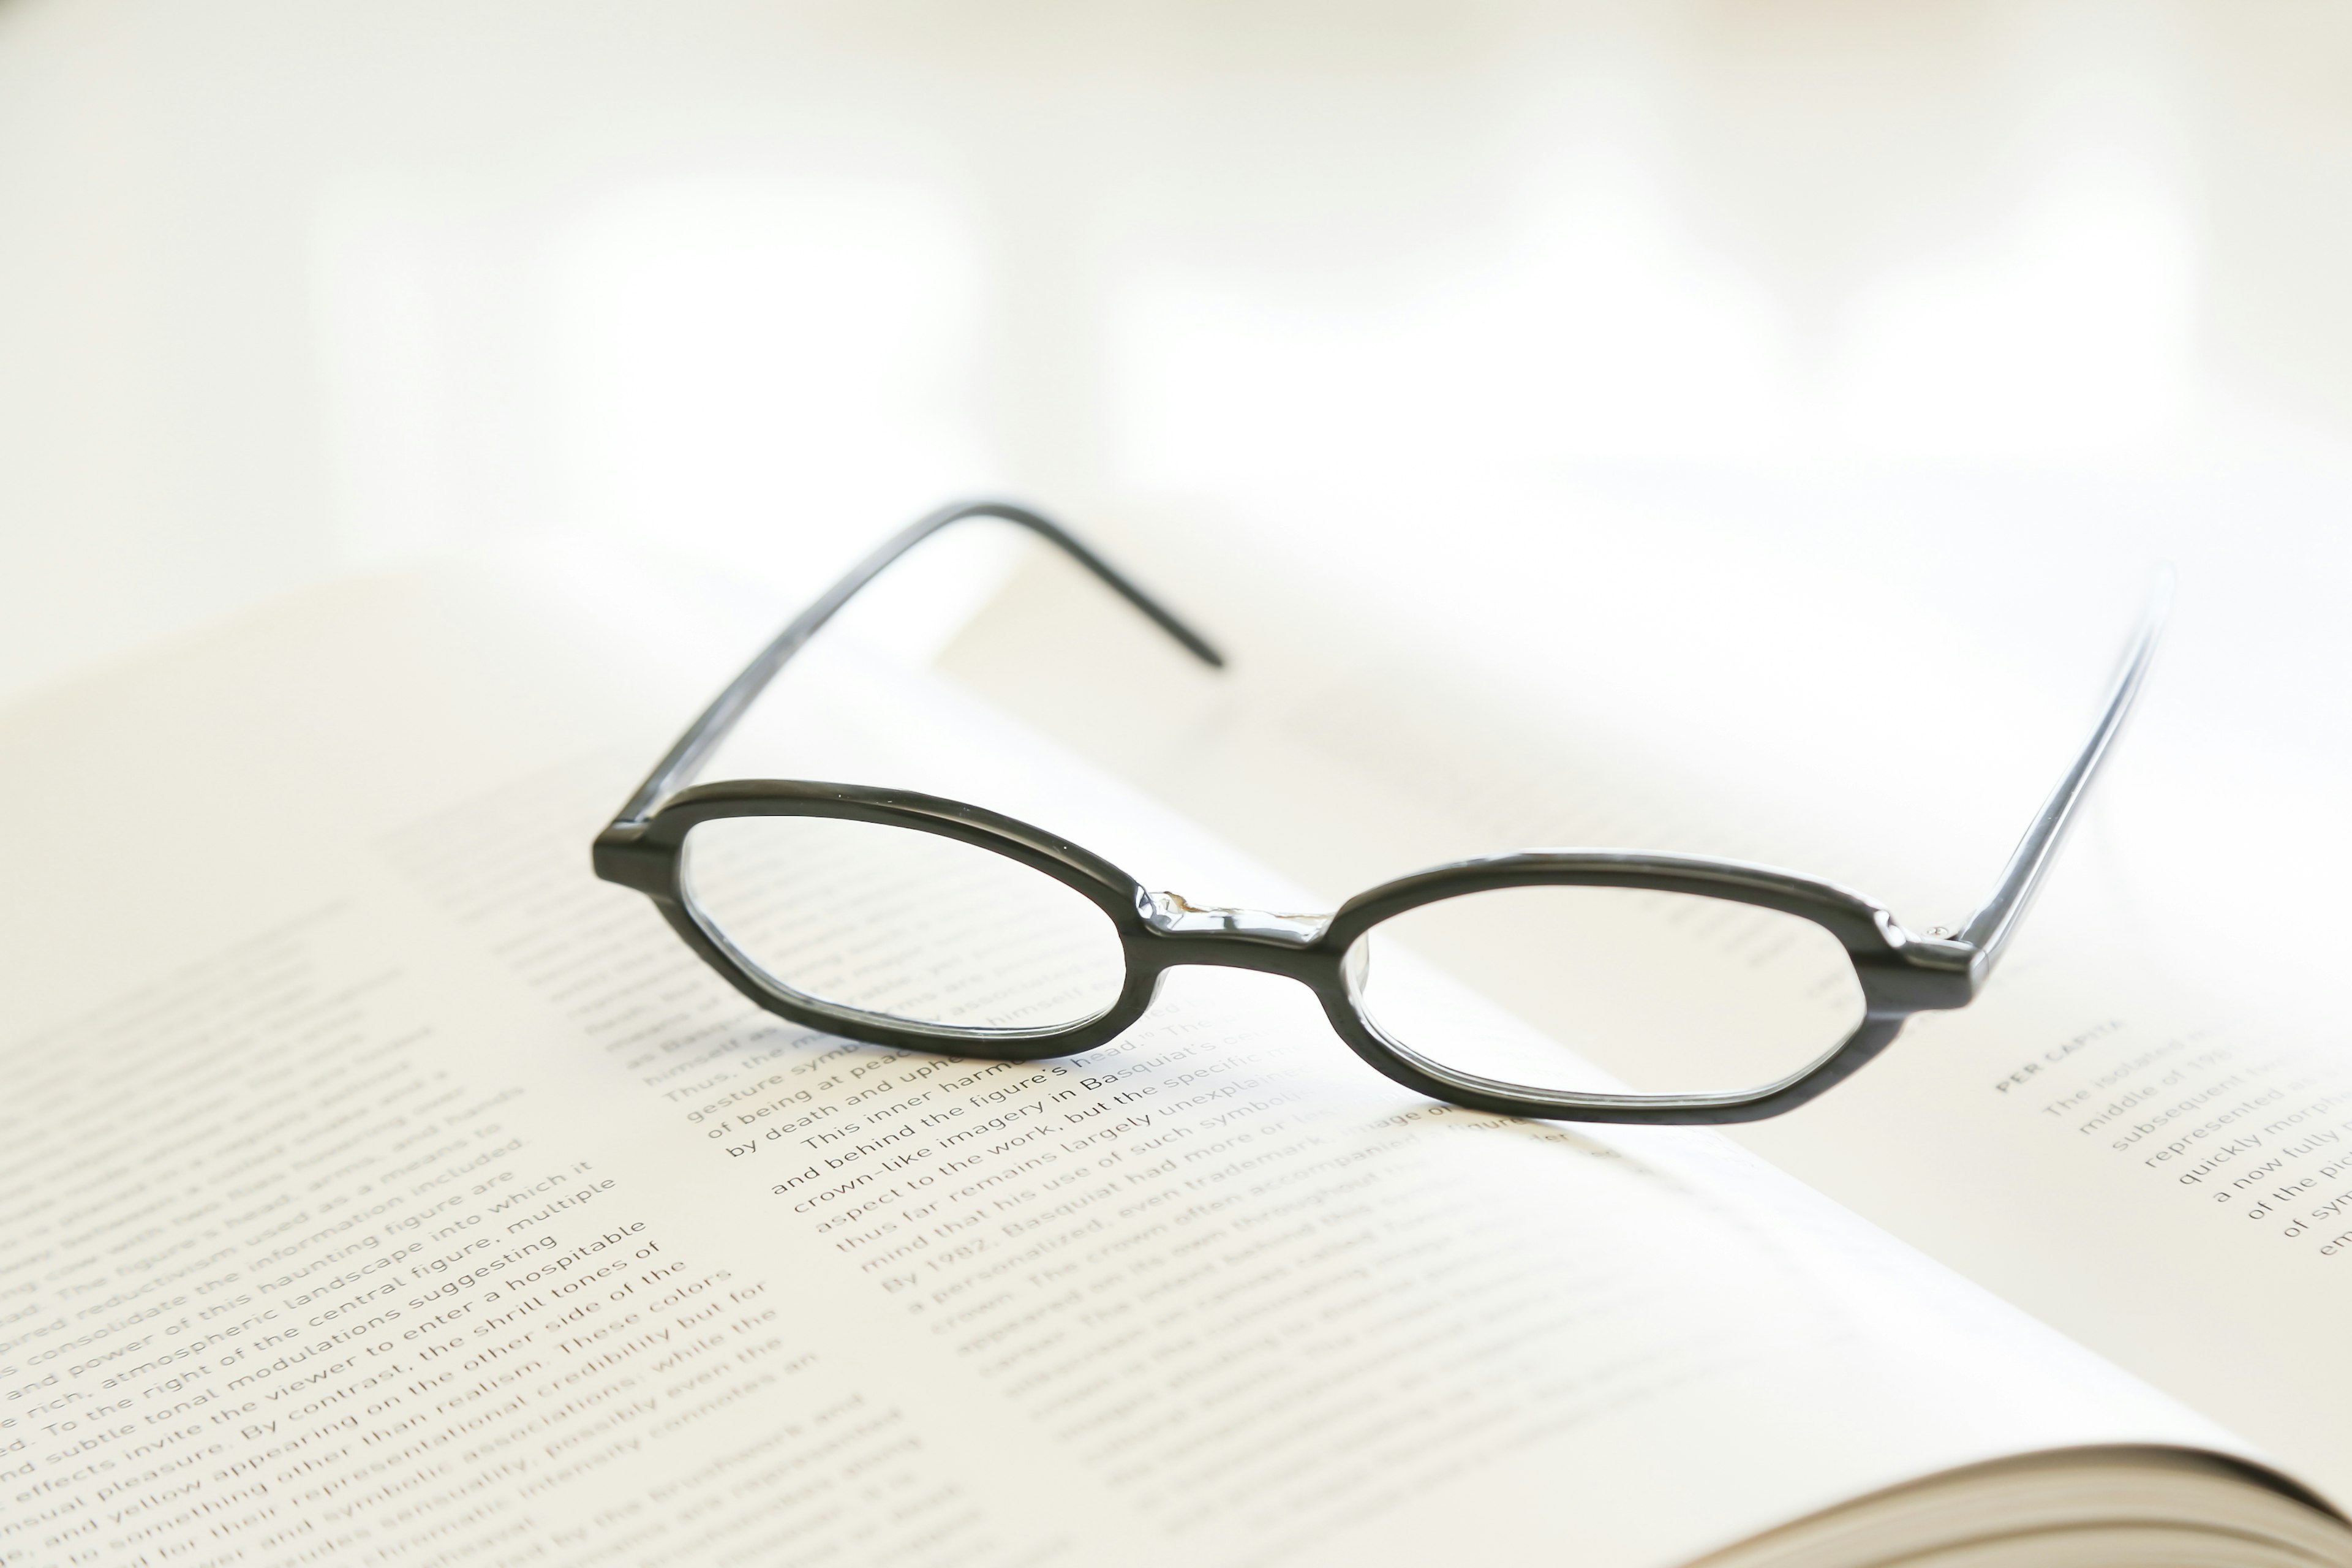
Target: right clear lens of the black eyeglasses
point(1664, 993)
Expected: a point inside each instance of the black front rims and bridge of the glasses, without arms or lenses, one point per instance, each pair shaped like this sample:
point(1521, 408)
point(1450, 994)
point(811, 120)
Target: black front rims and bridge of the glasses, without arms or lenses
point(1887, 960)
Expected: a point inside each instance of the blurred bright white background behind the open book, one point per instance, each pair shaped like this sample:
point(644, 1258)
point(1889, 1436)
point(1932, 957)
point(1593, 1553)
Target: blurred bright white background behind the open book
point(1782, 340)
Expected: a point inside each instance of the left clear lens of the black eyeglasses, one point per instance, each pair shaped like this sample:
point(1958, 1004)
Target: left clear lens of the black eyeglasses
point(904, 925)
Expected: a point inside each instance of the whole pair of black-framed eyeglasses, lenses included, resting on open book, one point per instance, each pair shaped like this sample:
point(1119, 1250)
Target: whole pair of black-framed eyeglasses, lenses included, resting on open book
point(1713, 989)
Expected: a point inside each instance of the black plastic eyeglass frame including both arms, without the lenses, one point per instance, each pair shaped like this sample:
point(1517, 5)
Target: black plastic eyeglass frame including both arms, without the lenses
point(1899, 972)
